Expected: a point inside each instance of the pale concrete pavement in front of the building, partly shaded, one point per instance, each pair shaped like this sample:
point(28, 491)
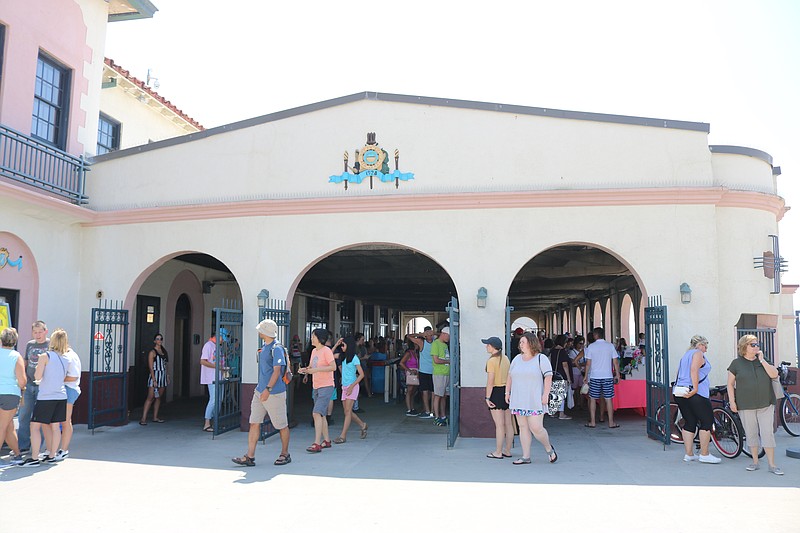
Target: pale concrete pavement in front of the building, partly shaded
point(175, 477)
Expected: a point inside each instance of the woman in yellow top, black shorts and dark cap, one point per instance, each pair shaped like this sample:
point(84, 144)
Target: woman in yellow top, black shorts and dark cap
point(496, 378)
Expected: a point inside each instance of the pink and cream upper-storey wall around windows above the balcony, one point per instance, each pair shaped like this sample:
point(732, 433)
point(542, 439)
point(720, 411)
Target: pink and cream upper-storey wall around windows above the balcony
point(56, 27)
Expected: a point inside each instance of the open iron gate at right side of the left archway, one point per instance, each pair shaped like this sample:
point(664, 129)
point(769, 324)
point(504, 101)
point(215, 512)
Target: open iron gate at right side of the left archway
point(227, 367)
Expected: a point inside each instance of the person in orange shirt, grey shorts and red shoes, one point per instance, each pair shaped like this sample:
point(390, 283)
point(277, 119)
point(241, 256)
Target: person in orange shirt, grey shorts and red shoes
point(321, 368)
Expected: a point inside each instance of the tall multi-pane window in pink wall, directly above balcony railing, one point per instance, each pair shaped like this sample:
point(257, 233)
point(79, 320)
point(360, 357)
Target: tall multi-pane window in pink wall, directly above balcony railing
point(51, 95)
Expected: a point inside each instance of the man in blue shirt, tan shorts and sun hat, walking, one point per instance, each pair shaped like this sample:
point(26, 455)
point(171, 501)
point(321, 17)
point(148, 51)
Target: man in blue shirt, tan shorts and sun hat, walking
point(269, 397)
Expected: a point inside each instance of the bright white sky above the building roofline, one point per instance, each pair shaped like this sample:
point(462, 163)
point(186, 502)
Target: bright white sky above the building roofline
point(733, 64)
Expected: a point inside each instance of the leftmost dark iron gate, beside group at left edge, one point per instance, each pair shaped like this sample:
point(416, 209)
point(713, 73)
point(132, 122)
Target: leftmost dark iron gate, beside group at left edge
point(108, 366)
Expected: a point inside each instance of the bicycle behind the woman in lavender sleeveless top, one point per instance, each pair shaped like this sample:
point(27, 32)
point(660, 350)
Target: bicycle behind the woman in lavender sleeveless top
point(727, 432)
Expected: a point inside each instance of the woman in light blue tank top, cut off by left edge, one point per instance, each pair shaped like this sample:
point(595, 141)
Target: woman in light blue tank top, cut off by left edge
point(12, 383)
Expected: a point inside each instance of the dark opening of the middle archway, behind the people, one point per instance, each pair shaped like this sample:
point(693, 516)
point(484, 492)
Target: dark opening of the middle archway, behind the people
point(382, 290)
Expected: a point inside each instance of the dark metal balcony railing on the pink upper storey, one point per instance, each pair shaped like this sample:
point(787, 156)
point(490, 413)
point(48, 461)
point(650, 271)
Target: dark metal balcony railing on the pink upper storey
point(39, 165)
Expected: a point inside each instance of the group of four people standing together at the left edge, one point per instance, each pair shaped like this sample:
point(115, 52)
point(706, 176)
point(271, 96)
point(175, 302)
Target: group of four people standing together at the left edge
point(41, 386)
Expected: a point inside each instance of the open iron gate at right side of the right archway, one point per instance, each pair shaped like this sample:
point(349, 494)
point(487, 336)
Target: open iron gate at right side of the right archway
point(657, 369)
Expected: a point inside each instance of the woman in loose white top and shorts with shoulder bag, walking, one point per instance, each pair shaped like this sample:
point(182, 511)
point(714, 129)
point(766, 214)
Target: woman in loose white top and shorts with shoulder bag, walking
point(527, 391)
